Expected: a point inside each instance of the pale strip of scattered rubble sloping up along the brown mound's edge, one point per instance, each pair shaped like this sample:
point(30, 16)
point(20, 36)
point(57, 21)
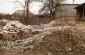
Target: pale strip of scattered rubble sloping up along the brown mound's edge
point(32, 41)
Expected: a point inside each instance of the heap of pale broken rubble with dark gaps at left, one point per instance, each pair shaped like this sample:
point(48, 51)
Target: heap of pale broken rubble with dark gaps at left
point(15, 30)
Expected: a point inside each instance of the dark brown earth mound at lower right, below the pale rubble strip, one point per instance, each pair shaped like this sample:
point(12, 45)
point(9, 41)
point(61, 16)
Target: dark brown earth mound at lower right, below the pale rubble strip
point(68, 41)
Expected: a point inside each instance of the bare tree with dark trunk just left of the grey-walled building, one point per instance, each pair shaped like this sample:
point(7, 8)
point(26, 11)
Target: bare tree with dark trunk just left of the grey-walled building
point(52, 6)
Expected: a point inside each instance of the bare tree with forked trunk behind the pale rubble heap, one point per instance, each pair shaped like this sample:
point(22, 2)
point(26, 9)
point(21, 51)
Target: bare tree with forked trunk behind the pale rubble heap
point(26, 11)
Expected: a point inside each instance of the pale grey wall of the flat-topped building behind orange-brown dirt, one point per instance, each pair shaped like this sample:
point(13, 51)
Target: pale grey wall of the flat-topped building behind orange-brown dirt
point(66, 10)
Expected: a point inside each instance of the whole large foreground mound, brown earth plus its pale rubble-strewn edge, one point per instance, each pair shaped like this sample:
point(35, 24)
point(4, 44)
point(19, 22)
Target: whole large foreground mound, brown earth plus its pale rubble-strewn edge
point(62, 40)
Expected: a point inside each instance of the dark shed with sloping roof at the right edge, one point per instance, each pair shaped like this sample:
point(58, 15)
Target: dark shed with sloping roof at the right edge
point(80, 12)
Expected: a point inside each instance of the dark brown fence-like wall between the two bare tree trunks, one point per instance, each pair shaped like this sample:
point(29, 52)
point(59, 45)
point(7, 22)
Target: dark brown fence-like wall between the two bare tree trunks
point(37, 20)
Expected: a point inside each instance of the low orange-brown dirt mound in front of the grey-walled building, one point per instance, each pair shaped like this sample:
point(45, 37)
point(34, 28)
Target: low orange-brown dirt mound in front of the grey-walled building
point(61, 21)
